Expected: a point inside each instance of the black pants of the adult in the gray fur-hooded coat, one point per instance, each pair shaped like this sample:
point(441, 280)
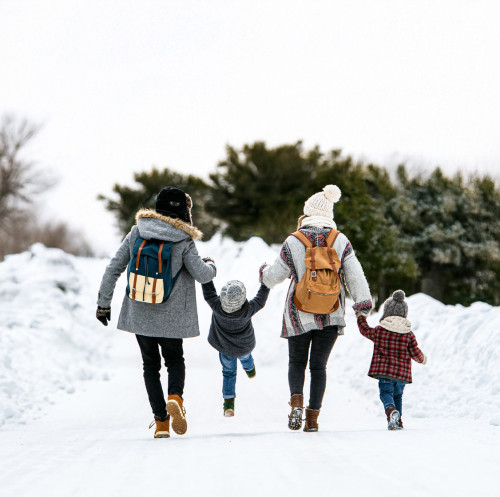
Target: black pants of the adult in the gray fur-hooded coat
point(171, 350)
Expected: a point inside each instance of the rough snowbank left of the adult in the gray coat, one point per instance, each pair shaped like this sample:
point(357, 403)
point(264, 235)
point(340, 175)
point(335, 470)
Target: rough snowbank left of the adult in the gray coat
point(49, 337)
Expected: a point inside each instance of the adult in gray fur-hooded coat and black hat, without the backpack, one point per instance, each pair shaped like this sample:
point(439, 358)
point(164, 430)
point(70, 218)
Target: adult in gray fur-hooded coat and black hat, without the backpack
point(161, 326)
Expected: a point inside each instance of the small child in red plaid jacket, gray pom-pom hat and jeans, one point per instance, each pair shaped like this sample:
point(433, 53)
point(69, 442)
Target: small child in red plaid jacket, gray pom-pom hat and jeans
point(394, 347)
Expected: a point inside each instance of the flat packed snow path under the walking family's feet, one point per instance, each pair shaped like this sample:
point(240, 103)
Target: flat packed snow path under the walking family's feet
point(96, 443)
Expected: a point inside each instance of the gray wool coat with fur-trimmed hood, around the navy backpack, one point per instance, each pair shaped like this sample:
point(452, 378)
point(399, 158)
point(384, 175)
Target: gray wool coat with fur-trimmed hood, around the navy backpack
point(178, 316)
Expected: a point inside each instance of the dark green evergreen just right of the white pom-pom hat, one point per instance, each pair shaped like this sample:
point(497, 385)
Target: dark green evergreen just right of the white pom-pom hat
point(362, 215)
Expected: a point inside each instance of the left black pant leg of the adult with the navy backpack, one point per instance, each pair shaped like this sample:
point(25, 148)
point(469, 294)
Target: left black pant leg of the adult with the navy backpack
point(152, 364)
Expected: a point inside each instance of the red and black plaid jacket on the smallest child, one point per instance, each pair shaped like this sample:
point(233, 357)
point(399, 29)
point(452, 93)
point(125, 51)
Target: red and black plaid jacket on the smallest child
point(392, 352)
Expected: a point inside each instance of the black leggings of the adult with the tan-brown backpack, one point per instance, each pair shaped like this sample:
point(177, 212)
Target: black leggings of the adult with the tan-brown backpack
point(321, 343)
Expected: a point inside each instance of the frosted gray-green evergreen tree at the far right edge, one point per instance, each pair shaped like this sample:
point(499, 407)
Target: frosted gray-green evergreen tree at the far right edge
point(453, 231)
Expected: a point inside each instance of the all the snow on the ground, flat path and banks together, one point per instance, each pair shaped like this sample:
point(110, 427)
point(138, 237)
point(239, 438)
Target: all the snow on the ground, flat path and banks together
point(74, 411)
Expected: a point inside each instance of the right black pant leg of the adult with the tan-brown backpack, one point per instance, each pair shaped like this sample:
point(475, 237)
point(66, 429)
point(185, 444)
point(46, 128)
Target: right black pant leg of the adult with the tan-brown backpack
point(321, 345)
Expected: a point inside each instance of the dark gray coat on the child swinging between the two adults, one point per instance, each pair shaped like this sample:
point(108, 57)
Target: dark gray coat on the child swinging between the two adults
point(232, 333)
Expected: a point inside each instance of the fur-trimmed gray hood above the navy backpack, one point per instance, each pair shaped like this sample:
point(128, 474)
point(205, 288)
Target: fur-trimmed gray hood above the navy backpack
point(156, 226)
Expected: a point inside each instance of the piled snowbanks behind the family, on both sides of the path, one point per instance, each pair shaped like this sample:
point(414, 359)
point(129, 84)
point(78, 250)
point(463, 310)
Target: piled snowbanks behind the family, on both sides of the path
point(50, 340)
